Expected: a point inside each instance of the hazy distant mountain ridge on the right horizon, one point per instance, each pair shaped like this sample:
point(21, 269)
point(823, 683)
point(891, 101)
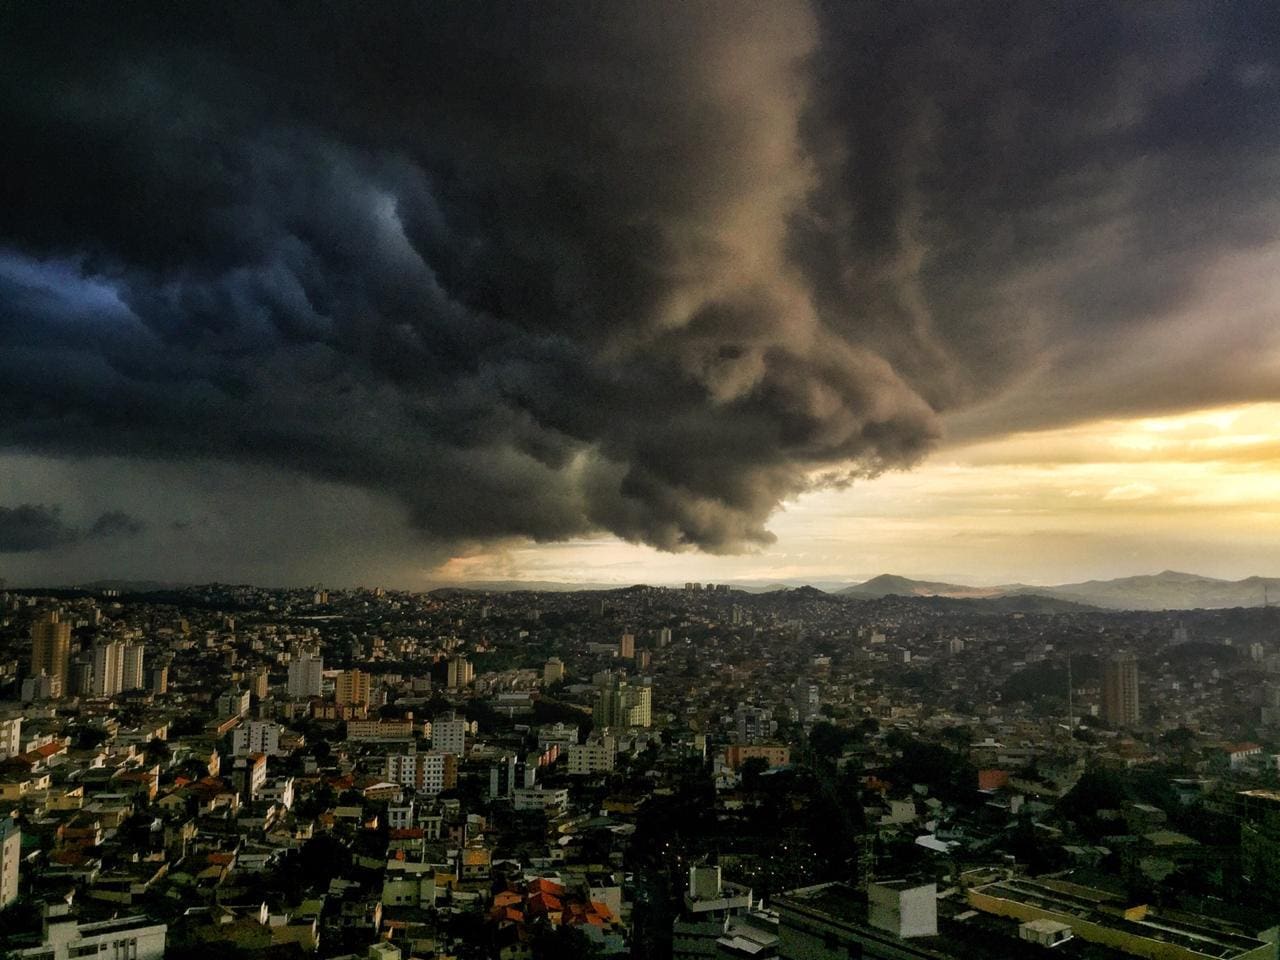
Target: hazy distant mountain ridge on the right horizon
point(1169, 591)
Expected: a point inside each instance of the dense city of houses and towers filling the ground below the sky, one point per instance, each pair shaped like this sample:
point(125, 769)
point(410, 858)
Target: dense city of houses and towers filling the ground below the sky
point(647, 772)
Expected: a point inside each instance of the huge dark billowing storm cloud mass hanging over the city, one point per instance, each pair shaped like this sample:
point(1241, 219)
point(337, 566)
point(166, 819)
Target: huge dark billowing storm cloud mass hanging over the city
point(543, 271)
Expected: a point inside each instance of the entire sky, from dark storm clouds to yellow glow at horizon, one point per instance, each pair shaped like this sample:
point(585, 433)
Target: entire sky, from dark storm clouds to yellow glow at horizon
point(409, 294)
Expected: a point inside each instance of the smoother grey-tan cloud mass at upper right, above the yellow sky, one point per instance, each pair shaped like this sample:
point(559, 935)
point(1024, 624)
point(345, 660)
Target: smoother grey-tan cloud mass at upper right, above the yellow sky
point(1030, 200)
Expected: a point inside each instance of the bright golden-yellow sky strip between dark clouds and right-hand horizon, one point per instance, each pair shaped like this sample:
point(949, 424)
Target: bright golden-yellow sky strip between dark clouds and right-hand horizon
point(1197, 491)
